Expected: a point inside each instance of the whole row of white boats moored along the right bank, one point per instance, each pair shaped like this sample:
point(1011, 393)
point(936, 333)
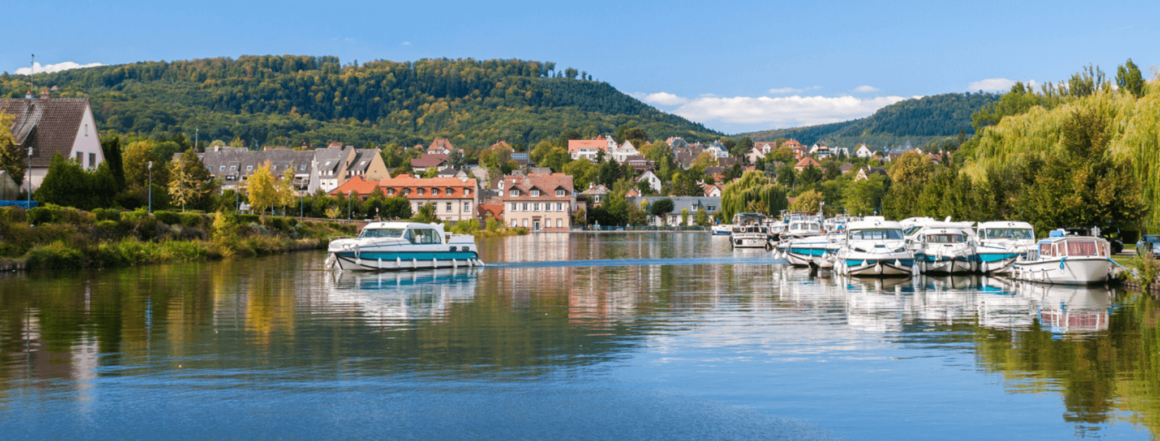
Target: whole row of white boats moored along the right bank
point(874, 247)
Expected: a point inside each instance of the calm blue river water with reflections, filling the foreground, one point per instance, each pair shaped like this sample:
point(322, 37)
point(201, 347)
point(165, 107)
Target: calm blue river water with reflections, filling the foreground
point(569, 337)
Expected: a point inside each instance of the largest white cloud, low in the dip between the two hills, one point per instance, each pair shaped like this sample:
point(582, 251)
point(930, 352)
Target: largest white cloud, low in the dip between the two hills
point(782, 112)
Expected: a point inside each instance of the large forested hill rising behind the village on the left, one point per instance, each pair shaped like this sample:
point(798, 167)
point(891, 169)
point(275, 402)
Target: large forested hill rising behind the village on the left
point(281, 100)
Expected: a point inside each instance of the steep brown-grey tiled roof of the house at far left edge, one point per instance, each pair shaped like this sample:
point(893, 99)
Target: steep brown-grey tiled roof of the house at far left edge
point(49, 126)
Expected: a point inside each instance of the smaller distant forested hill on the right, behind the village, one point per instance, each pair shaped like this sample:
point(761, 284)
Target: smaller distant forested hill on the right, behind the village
point(918, 120)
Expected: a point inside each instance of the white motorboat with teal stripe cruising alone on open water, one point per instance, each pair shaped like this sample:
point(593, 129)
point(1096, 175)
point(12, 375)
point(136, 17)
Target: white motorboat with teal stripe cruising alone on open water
point(403, 245)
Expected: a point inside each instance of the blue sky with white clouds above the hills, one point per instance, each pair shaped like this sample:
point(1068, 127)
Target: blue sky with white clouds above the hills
point(742, 67)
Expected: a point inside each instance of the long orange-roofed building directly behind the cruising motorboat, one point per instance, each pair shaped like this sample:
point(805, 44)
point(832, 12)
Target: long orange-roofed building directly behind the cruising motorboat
point(454, 199)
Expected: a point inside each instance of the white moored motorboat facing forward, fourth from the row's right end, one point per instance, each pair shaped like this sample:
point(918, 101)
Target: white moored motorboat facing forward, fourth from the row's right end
point(875, 248)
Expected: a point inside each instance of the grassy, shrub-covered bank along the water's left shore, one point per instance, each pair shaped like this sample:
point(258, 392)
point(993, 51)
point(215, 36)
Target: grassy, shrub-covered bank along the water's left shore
point(64, 238)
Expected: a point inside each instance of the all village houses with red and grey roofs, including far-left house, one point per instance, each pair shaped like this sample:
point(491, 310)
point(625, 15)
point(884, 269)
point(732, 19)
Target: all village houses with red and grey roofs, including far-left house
point(531, 198)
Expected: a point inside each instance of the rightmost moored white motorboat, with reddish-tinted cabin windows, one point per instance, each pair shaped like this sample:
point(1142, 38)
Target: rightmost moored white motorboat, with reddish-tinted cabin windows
point(1064, 259)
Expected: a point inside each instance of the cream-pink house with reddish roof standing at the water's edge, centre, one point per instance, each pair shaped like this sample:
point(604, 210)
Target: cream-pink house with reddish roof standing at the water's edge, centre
point(539, 203)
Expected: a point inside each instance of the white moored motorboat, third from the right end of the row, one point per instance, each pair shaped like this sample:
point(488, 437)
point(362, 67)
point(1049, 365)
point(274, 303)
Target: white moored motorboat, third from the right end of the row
point(945, 248)
